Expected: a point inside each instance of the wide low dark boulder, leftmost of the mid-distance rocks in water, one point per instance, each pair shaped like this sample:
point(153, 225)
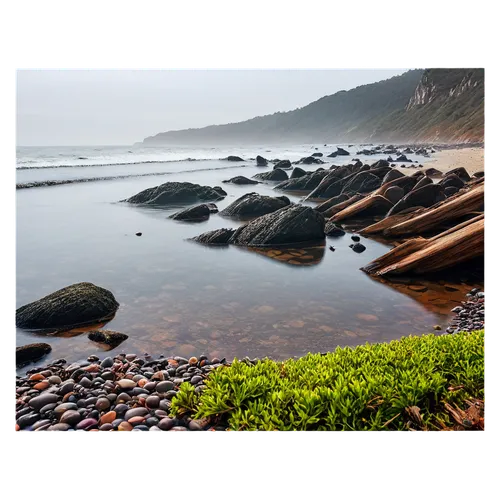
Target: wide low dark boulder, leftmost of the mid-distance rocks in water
point(177, 193)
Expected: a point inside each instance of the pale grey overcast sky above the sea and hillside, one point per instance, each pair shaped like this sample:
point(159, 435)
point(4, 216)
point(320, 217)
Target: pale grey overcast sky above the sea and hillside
point(117, 106)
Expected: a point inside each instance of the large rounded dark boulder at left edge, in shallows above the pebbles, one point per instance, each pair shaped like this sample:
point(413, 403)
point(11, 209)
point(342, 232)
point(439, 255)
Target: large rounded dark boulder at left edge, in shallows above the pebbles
point(73, 306)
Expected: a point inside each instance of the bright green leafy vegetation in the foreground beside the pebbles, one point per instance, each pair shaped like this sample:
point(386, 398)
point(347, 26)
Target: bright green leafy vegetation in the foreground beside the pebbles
point(368, 388)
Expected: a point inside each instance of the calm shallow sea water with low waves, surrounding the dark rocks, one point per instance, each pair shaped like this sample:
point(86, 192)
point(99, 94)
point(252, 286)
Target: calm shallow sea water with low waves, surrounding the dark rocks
point(178, 297)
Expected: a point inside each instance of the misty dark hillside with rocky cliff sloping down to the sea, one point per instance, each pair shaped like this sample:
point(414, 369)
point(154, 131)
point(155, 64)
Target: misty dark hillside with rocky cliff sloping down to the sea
point(439, 104)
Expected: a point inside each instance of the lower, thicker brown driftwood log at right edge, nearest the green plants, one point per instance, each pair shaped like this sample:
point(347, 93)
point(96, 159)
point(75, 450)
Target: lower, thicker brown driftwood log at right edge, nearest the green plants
point(419, 255)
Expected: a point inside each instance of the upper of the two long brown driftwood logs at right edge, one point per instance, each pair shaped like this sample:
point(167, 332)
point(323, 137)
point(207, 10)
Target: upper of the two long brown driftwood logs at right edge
point(454, 207)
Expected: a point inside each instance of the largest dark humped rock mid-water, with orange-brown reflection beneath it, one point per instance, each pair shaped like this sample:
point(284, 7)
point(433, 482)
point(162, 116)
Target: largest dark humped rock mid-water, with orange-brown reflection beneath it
point(291, 225)
